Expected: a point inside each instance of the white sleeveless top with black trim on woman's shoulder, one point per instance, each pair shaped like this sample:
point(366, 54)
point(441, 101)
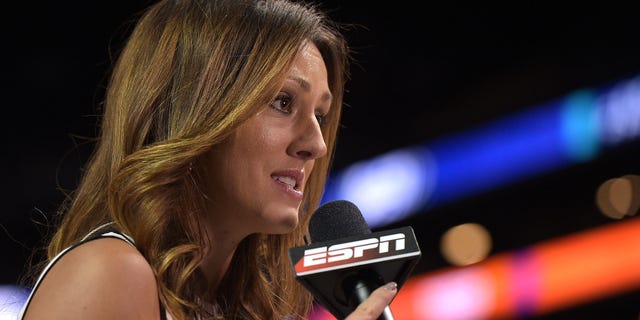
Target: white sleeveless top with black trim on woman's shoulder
point(103, 231)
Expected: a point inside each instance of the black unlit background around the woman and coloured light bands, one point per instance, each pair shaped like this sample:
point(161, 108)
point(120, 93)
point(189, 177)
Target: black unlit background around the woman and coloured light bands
point(423, 72)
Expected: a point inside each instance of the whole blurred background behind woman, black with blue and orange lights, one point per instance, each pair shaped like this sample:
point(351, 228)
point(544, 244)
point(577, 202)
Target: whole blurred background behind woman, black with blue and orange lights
point(507, 136)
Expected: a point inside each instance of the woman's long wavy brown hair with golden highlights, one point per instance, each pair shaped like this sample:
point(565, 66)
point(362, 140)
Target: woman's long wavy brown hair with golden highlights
point(190, 73)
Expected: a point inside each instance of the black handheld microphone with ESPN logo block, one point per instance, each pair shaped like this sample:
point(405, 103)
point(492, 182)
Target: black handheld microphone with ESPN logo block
point(345, 261)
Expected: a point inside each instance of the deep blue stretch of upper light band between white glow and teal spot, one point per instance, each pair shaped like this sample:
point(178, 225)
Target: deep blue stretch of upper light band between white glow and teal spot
point(490, 156)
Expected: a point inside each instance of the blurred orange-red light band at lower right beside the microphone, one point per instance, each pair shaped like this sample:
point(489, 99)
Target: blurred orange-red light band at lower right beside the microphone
point(535, 280)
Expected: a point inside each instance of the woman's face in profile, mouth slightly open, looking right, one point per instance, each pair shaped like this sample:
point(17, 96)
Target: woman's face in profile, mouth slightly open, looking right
point(258, 174)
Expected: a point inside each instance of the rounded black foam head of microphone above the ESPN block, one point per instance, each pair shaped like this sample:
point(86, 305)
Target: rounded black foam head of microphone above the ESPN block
point(337, 219)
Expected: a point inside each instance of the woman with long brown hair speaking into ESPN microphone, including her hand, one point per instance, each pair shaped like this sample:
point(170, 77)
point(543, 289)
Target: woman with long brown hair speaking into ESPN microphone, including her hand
point(219, 127)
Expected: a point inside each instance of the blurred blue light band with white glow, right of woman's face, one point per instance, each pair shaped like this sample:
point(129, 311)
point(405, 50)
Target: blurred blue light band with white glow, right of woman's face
point(575, 128)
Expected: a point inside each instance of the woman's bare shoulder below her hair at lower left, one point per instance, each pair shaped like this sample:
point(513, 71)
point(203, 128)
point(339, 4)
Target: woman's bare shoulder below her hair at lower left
point(102, 279)
